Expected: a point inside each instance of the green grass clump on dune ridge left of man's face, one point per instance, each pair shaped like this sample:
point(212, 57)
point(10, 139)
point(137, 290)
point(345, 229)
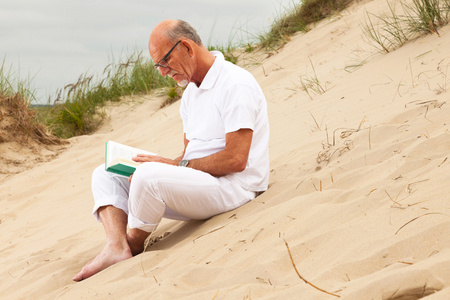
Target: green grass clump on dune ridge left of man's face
point(75, 110)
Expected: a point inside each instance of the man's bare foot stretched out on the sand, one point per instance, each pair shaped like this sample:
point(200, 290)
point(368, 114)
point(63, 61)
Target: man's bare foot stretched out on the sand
point(108, 257)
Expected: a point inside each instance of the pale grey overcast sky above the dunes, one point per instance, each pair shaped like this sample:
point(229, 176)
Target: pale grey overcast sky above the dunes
point(53, 42)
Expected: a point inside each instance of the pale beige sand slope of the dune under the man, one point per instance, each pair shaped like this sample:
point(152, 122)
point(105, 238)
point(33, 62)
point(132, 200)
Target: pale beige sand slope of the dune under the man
point(358, 199)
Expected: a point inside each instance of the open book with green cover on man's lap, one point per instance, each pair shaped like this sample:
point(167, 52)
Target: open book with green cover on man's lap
point(118, 158)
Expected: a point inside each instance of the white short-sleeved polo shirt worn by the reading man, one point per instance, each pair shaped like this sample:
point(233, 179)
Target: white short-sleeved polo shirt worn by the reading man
point(228, 99)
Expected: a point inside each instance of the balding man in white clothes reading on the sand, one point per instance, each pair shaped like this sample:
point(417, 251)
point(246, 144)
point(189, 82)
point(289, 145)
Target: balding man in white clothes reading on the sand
point(225, 162)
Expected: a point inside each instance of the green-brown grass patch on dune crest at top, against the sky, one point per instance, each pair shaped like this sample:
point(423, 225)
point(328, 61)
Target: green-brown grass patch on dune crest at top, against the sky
point(297, 18)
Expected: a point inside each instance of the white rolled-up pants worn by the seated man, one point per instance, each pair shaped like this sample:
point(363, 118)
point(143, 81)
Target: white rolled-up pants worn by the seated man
point(160, 190)
